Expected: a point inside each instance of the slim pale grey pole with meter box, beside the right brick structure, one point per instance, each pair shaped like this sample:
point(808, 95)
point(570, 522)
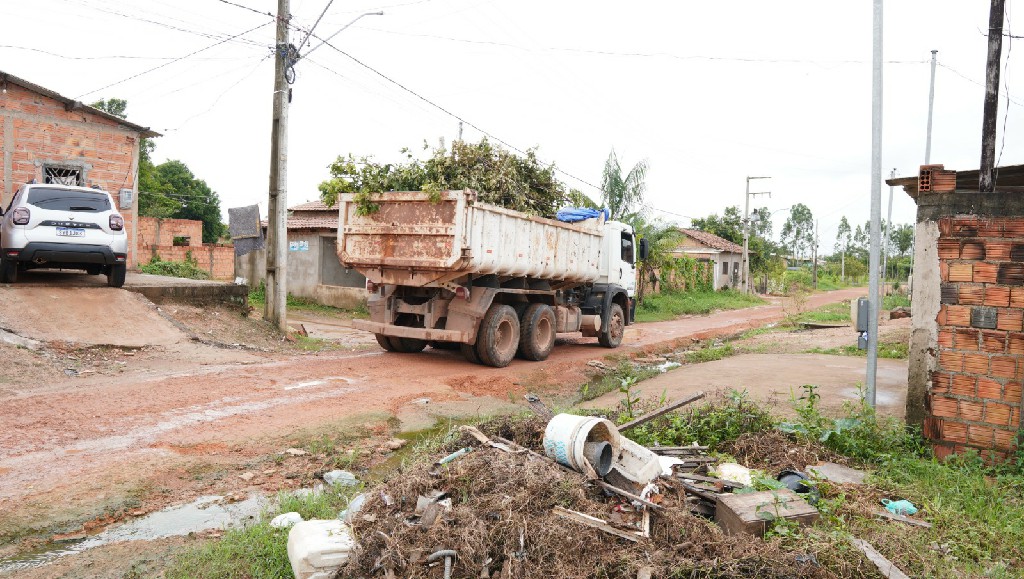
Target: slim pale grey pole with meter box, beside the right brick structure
point(873, 266)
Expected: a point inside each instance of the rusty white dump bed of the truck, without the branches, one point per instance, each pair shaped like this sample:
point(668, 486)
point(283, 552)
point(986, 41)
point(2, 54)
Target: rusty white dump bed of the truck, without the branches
point(413, 241)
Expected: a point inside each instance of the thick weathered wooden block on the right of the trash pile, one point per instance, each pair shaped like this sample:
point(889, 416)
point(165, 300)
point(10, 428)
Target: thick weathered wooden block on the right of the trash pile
point(740, 514)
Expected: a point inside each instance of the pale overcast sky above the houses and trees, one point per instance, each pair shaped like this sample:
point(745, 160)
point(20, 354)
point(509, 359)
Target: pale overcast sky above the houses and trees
point(709, 93)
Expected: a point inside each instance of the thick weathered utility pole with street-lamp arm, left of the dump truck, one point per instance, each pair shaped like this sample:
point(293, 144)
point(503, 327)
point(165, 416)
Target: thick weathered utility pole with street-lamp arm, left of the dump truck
point(277, 236)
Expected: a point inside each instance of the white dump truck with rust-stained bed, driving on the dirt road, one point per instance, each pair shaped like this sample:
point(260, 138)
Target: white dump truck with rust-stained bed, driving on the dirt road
point(454, 273)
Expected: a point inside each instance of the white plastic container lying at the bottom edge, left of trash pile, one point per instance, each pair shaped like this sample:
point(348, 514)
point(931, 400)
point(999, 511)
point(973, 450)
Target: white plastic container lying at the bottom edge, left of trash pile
point(318, 549)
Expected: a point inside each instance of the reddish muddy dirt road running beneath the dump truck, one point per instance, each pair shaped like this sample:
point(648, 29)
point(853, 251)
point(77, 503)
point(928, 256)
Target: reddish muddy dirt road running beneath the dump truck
point(71, 447)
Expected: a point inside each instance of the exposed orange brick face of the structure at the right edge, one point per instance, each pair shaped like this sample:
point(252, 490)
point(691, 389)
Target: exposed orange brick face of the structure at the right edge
point(975, 396)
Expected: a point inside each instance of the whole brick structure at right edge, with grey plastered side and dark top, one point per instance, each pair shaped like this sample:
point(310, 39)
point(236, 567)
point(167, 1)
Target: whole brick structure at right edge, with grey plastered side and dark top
point(967, 343)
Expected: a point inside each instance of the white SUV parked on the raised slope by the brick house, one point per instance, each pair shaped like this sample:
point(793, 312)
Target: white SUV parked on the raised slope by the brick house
point(69, 228)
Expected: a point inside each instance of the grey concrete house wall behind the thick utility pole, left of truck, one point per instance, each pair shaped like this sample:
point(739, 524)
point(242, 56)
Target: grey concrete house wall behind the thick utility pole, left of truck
point(305, 270)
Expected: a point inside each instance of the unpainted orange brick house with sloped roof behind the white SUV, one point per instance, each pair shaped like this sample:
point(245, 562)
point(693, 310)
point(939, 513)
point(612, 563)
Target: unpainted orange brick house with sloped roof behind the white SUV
point(53, 139)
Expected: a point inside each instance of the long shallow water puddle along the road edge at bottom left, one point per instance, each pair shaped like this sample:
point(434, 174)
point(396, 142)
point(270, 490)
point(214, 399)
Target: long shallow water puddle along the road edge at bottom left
point(201, 515)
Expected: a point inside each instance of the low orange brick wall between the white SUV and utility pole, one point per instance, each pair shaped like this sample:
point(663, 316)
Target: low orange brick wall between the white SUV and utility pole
point(157, 238)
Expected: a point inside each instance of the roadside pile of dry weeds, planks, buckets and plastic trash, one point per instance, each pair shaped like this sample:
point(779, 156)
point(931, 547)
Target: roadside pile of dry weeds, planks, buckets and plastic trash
point(564, 497)
